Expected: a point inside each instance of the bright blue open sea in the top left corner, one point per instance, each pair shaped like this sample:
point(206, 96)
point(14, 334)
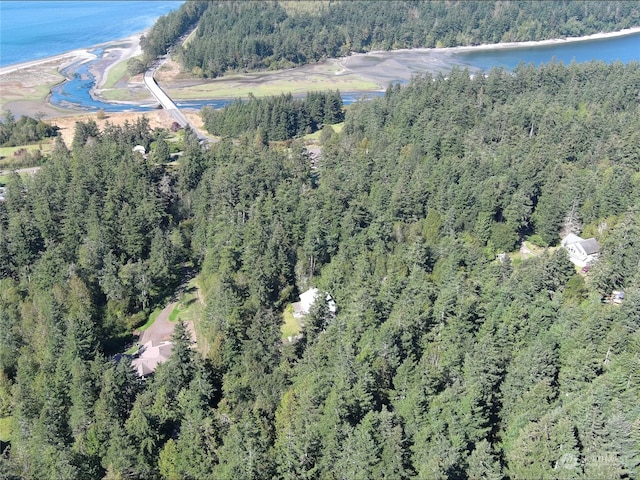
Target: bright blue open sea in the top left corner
point(30, 30)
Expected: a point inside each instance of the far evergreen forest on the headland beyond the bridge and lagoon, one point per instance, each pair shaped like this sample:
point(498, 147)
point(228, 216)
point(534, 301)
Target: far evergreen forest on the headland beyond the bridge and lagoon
point(250, 35)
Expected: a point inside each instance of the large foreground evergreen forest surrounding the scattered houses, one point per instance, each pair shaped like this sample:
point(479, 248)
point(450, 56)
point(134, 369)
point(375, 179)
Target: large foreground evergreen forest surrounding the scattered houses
point(441, 362)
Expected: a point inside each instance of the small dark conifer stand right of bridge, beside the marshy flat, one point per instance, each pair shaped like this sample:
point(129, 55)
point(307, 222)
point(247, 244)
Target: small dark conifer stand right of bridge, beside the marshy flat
point(276, 118)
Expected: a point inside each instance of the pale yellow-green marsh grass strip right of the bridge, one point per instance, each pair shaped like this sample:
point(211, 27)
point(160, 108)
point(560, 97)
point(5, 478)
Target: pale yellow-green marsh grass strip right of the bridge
point(238, 87)
